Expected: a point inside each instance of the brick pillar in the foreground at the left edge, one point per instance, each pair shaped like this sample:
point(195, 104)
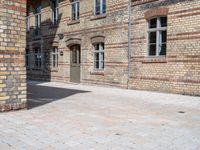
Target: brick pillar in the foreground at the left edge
point(12, 55)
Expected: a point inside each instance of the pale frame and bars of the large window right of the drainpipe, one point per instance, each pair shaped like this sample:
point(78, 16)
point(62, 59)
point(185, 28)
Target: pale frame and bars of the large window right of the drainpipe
point(158, 31)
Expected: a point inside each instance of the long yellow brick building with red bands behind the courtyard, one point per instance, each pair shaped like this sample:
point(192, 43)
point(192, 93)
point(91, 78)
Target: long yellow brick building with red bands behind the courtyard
point(87, 41)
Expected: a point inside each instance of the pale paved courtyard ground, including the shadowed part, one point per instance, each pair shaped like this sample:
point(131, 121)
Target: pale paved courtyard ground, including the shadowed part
point(81, 117)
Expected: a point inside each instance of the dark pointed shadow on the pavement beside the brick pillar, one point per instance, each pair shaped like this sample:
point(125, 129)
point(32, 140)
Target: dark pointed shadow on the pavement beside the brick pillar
point(40, 95)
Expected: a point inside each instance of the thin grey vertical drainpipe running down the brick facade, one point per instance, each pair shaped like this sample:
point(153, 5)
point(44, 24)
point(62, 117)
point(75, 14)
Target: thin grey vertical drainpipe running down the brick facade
point(129, 42)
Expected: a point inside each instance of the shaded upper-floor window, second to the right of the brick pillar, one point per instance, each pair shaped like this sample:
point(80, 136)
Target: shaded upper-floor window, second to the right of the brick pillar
point(37, 20)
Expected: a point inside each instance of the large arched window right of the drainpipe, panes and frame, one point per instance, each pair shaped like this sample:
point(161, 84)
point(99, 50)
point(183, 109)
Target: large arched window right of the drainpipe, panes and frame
point(157, 36)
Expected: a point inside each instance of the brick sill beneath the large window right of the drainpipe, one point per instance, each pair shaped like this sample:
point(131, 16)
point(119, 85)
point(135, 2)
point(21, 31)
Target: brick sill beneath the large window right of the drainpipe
point(154, 59)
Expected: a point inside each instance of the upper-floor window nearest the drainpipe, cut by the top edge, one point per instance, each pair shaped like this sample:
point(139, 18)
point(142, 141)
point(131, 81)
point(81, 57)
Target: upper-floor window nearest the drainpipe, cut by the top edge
point(100, 7)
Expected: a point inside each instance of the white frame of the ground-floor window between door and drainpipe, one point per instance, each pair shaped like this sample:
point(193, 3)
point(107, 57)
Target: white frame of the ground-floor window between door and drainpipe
point(101, 57)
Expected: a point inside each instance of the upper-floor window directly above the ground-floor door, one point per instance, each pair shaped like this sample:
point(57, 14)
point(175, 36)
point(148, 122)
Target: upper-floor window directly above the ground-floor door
point(75, 10)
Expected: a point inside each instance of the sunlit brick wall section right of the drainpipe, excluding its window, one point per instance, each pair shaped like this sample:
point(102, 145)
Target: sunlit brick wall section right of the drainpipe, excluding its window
point(179, 70)
